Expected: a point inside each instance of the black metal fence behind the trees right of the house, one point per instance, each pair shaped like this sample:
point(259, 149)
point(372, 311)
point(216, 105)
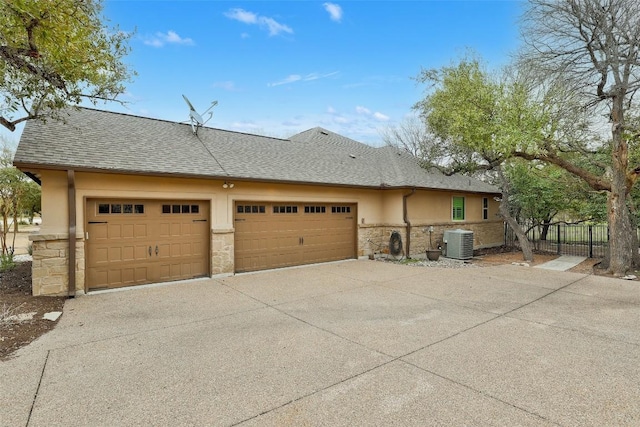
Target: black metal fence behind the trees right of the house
point(586, 240)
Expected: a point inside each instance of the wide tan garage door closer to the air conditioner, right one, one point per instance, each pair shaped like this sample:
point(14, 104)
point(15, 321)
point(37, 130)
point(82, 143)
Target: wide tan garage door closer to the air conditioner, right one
point(272, 235)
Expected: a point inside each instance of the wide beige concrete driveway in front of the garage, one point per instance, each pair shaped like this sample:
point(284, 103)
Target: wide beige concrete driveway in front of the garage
point(350, 343)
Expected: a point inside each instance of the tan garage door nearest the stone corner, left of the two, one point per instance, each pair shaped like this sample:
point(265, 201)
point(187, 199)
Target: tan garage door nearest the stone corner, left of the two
point(132, 242)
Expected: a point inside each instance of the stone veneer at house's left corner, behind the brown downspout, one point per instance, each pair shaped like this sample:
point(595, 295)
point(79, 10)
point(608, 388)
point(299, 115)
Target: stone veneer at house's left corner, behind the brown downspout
point(50, 267)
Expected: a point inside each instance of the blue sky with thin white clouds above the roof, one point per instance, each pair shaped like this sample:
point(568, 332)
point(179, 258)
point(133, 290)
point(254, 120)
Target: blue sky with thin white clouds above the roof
point(280, 67)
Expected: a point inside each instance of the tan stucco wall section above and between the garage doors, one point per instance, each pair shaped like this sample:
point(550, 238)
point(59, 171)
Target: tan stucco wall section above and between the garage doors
point(91, 185)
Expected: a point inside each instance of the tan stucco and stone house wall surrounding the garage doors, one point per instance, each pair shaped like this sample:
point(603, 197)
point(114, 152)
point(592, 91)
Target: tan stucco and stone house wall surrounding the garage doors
point(379, 212)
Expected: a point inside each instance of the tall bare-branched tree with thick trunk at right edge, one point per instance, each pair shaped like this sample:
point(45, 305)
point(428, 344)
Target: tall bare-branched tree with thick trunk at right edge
point(591, 48)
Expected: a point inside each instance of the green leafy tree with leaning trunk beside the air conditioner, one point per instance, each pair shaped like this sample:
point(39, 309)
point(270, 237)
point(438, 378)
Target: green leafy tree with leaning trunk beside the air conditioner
point(474, 119)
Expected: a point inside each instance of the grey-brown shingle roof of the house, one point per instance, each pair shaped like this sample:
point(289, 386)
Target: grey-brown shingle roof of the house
point(91, 139)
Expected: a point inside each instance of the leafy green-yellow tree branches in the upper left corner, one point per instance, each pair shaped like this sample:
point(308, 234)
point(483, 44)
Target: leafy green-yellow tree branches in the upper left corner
point(56, 53)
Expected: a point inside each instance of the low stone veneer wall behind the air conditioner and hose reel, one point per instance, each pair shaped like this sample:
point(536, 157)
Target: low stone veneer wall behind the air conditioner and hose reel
point(374, 238)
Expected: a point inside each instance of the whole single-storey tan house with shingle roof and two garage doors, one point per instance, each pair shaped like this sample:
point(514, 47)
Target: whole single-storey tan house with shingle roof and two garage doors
point(129, 200)
